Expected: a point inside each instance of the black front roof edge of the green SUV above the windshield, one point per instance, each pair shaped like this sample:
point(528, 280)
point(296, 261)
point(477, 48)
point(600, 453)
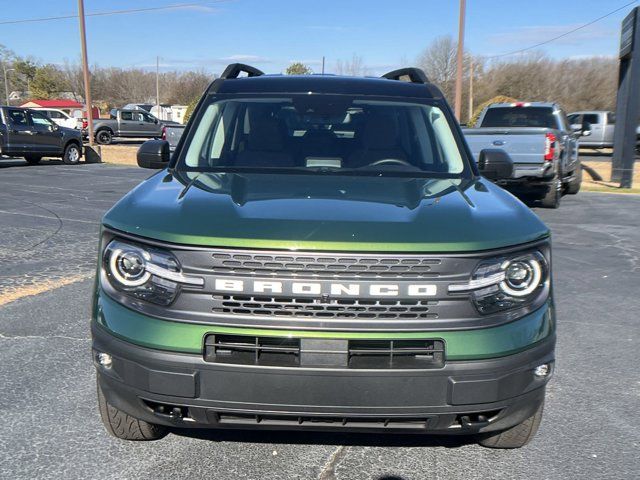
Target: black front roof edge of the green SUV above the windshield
point(324, 84)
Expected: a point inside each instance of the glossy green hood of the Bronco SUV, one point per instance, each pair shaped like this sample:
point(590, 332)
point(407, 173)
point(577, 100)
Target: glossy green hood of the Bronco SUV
point(325, 212)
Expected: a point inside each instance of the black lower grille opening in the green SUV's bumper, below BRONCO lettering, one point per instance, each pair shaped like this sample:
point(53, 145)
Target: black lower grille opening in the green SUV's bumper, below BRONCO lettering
point(353, 354)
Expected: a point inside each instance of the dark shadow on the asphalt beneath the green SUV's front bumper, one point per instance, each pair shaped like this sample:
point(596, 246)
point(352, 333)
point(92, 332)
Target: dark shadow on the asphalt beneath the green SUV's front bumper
point(326, 438)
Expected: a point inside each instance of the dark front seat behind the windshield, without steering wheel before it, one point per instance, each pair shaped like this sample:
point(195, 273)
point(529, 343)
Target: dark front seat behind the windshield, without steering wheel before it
point(264, 146)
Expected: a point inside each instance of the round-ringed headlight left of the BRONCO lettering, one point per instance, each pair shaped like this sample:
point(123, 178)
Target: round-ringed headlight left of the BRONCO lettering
point(144, 273)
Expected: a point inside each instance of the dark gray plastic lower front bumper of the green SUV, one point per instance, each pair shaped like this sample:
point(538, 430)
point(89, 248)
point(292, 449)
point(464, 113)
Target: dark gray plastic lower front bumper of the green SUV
point(184, 390)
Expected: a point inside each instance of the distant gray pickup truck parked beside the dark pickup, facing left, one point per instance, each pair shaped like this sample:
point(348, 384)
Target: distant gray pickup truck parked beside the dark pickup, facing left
point(127, 123)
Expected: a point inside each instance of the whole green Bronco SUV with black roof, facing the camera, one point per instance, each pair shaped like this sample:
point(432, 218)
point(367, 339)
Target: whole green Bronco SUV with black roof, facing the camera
point(321, 252)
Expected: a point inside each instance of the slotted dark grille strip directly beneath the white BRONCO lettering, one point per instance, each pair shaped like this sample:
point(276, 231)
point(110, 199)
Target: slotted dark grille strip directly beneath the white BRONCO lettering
point(332, 308)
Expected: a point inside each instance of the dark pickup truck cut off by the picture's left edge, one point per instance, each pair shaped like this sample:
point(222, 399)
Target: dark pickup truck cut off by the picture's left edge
point(32, 135)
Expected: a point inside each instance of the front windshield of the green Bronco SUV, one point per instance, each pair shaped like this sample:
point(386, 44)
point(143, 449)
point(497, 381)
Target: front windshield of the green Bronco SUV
point(326, 133)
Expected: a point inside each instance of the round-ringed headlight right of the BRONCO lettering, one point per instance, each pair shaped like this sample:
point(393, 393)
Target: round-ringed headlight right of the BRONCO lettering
point(507, 282)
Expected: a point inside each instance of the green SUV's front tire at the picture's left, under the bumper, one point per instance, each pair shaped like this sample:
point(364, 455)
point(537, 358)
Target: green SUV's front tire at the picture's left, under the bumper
point(124, 426)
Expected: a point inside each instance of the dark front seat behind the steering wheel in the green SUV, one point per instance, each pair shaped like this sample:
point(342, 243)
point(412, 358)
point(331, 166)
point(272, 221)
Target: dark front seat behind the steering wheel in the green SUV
point(379, 141)
